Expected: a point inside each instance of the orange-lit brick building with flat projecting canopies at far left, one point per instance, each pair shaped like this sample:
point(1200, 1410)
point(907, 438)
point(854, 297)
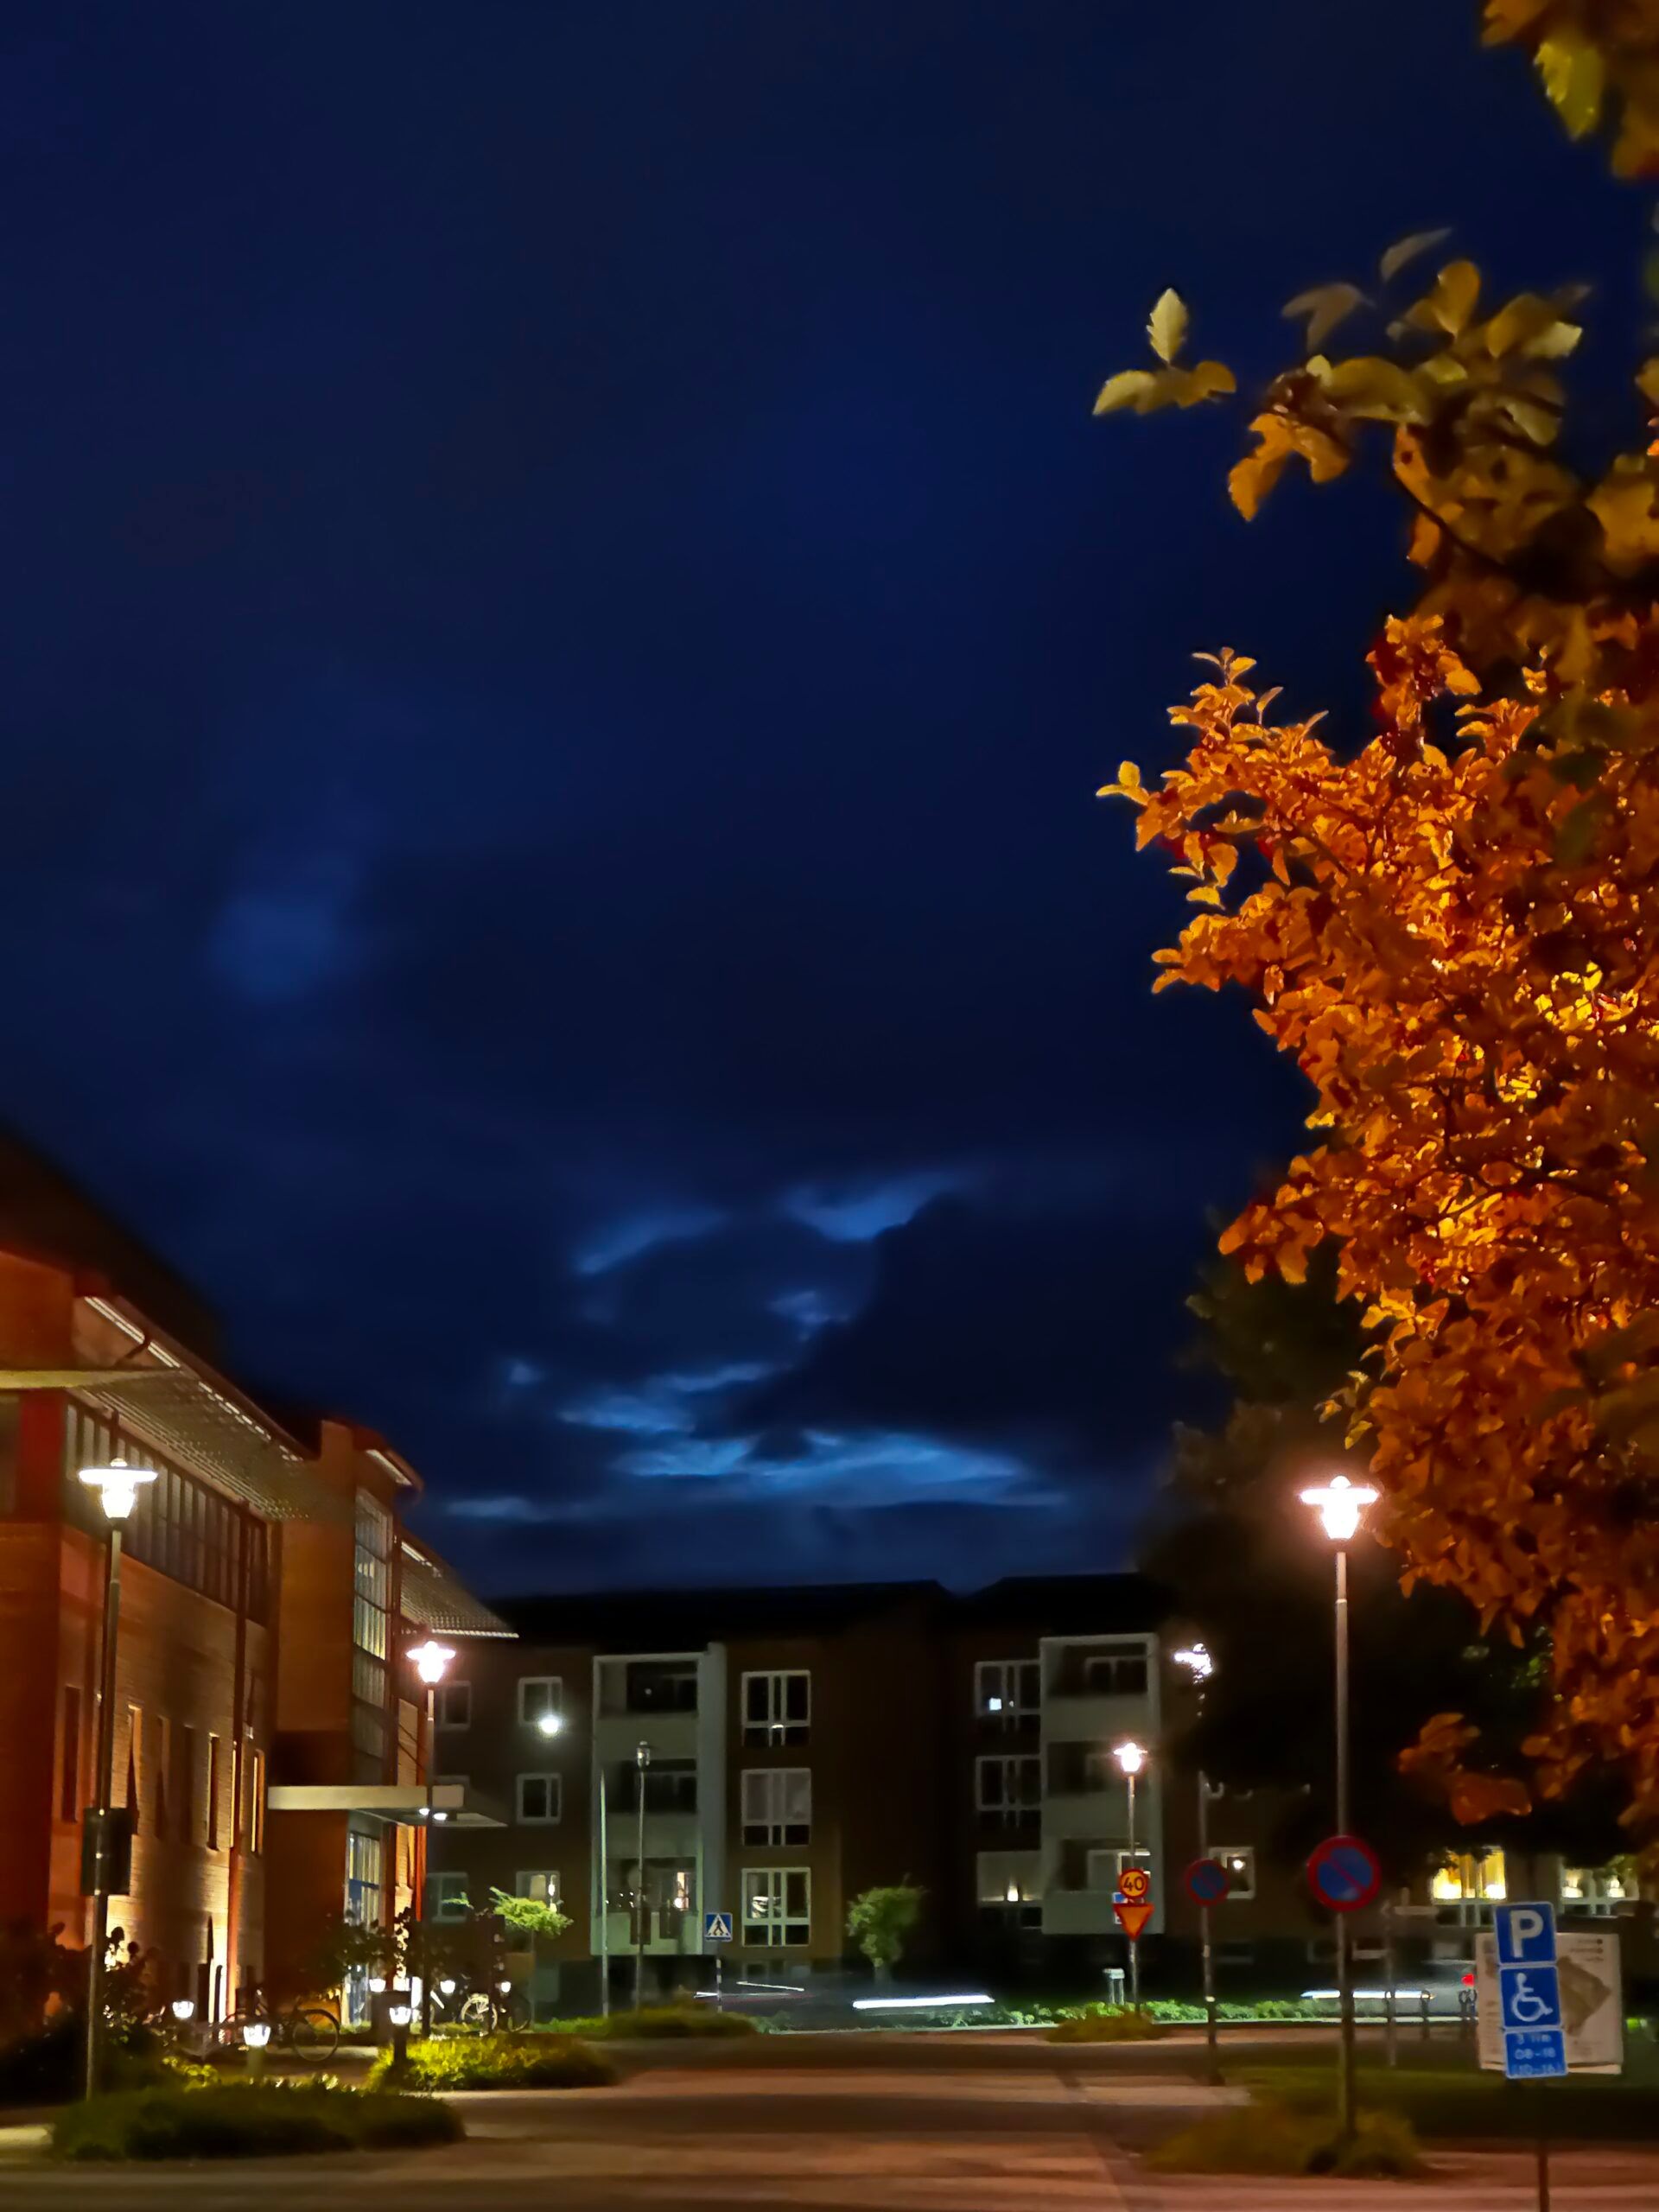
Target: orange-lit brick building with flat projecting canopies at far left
point(267, 1751)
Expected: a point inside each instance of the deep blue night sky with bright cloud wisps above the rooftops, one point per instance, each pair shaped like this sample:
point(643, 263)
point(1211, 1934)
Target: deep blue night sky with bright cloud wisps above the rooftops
point(565, 614)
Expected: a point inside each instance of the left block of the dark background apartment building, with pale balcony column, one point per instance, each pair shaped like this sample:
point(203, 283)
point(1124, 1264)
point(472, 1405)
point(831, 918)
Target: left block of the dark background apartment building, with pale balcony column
point(733, 1735)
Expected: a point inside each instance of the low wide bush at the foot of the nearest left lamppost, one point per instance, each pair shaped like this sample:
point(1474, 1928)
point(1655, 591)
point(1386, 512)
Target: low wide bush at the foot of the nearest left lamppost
point(247, 2120)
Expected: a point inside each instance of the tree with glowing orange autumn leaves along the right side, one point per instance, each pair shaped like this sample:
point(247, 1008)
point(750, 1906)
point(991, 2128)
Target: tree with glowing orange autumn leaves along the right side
point(1454, 930)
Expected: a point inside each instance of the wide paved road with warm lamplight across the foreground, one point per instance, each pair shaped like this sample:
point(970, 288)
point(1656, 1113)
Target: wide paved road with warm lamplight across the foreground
point(977, 2125)
